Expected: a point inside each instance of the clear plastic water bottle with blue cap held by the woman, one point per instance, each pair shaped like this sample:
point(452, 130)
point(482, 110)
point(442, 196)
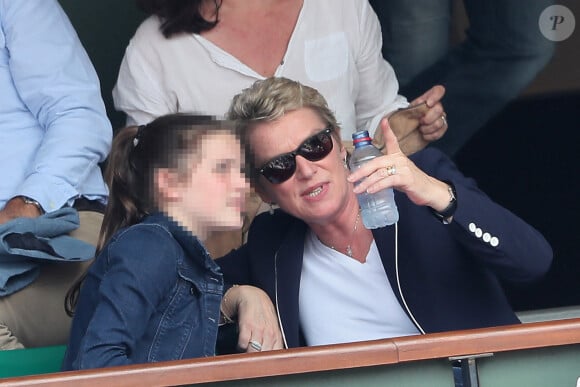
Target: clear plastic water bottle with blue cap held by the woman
point(378, 209)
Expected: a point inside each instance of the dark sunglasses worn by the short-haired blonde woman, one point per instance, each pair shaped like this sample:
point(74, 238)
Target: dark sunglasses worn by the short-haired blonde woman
point(281, 168)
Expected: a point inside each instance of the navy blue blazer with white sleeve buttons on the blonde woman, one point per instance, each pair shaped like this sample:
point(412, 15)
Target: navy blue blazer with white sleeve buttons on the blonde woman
point(448, 275)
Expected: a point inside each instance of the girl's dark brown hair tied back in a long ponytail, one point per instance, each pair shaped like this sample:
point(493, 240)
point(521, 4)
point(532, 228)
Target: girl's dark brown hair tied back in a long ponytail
point(136, 153)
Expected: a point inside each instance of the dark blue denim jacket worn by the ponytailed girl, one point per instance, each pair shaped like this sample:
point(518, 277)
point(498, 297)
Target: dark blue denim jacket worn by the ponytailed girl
point(153, 294)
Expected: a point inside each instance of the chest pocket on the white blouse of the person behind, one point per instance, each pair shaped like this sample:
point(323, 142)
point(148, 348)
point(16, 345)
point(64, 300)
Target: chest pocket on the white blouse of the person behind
point(326, 58)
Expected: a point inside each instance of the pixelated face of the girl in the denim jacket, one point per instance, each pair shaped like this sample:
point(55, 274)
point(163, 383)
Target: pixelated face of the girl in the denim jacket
point(212, 195)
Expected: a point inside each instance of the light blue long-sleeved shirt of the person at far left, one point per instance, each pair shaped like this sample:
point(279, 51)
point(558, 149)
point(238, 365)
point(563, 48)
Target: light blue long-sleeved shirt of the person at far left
point(53, 126)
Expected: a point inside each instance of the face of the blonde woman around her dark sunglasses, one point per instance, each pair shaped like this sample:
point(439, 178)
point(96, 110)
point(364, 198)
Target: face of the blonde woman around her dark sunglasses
point(317, 190)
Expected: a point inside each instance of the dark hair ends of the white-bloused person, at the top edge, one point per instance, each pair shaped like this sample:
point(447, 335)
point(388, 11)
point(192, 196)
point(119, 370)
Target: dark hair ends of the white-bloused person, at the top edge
point(179, 16)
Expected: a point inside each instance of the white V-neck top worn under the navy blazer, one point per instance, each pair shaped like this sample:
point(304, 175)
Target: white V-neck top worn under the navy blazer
point(342, 300)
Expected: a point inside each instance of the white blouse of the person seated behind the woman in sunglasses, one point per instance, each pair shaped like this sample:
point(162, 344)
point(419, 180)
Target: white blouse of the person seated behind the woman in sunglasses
point(335, 48)
